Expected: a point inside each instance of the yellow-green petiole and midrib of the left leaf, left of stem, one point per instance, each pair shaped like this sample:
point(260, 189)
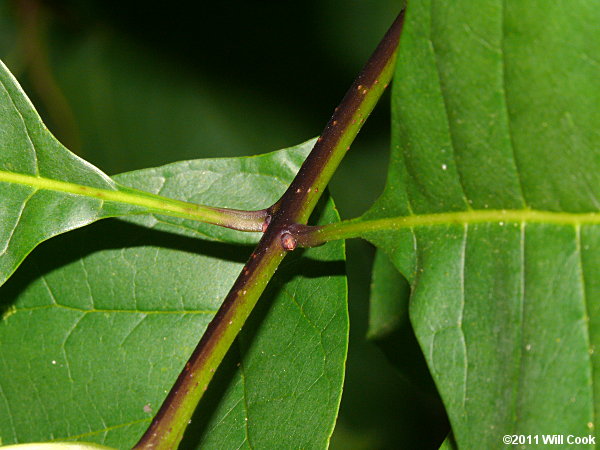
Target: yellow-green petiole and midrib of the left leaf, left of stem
point(230, 218)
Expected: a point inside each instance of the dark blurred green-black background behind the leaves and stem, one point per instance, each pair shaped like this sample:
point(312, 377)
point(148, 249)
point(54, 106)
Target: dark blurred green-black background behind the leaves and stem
point(128, 85)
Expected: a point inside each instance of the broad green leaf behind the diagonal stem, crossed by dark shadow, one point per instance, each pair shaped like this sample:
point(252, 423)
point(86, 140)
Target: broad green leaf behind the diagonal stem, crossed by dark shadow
point(98, 323)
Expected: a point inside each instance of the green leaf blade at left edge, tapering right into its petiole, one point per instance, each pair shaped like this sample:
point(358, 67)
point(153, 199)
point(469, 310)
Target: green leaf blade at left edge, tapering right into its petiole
point(30, 159)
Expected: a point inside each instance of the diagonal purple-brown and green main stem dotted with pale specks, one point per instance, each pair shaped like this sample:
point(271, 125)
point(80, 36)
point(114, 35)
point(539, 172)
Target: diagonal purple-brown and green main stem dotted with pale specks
point(296, 205)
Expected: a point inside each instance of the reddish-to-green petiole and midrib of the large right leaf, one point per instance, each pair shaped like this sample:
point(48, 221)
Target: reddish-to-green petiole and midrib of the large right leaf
point(306, 236)
